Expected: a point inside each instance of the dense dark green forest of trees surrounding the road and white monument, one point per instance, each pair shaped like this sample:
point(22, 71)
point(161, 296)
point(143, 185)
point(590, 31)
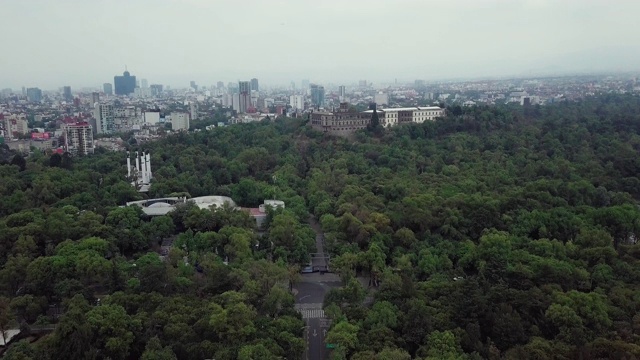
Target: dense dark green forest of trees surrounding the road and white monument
point(494, 233)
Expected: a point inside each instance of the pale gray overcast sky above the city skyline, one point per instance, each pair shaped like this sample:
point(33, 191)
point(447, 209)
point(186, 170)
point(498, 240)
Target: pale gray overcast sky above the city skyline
point(51, 43)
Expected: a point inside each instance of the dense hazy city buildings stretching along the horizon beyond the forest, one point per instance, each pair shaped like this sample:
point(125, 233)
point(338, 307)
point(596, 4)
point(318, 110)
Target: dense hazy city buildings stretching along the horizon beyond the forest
point(78, 121)
